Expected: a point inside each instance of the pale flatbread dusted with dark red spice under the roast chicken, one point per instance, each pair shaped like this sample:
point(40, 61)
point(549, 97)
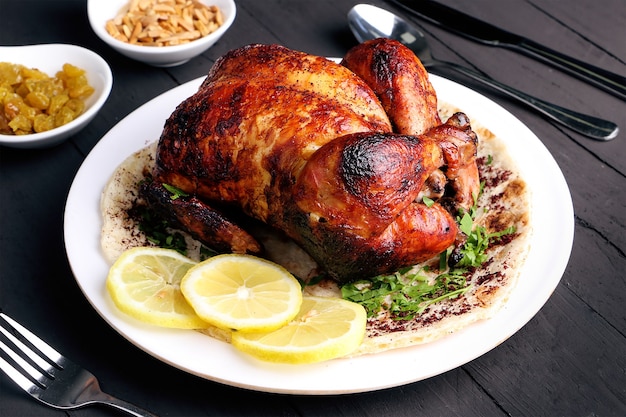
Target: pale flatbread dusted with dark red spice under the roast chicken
point(505, 202)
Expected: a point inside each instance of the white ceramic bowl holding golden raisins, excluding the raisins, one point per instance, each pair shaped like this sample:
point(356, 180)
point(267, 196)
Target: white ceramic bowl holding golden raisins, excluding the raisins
point(50, 58)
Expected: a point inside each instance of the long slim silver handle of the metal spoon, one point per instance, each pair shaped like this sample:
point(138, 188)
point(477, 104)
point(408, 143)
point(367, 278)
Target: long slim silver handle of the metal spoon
point(587, 125)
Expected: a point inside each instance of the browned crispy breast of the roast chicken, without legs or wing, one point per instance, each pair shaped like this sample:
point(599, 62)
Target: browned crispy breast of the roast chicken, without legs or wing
point(262, 111)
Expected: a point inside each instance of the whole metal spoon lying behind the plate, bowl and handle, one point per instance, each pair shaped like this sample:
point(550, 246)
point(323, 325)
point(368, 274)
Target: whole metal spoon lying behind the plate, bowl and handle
point(371, 22)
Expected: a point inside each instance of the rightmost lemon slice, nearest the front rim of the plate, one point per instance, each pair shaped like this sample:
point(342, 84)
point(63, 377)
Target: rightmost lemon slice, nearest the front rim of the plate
point(325, 328)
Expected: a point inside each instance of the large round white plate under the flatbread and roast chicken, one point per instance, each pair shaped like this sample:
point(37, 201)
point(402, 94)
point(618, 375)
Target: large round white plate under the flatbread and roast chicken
point(218, 361)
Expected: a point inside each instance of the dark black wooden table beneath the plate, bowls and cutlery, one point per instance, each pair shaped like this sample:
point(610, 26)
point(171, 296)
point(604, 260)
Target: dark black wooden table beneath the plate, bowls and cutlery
point(569, 360)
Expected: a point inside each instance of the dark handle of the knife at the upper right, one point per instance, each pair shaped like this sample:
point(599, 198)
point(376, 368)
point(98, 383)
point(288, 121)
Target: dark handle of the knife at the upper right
point(603, 79)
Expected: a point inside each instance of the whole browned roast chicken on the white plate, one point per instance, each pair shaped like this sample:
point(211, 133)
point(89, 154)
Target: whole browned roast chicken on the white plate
point(349, 160)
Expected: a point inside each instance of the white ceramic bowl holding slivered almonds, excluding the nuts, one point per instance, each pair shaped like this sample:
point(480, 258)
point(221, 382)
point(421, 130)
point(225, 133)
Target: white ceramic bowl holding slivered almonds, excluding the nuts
point(100, 11)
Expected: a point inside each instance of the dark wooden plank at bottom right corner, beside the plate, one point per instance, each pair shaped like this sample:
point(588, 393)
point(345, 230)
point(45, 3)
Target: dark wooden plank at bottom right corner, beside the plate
point(568, 361)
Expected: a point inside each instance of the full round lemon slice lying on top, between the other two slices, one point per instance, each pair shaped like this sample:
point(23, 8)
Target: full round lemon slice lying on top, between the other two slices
point(242, 292)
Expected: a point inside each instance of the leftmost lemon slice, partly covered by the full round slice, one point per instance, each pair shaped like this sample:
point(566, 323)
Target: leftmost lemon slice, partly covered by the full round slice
point(144, 283)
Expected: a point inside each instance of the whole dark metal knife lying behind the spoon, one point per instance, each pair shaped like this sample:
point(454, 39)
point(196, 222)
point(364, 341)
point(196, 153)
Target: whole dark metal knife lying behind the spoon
point(483, 32)
